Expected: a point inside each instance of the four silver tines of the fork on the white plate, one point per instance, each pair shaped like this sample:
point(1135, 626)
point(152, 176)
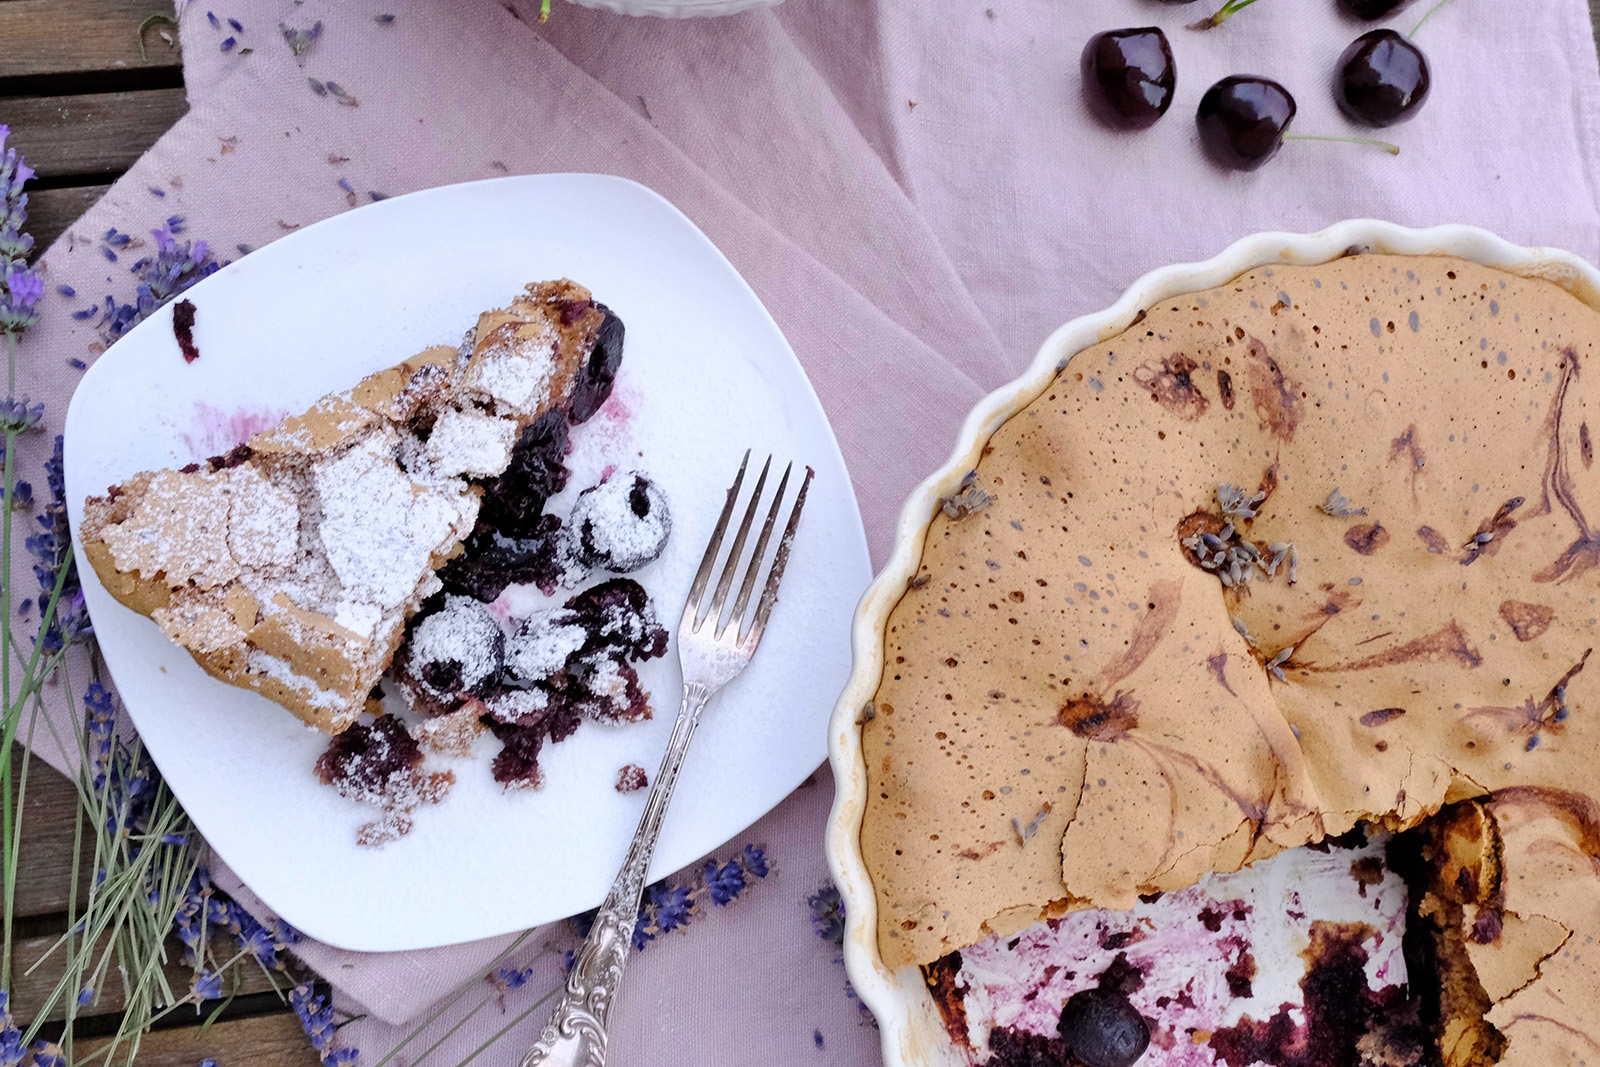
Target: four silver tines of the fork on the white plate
point(698, 613)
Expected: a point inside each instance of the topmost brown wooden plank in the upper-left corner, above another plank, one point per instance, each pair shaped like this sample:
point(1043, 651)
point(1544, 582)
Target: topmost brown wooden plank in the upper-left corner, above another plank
point(79, 36)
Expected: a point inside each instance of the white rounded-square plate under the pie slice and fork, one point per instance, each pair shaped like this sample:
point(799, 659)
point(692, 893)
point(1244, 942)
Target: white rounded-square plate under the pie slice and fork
point(706, 375)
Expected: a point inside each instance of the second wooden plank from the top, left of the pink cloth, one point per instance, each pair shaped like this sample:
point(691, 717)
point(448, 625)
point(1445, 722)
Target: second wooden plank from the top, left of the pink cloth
point(94, 137)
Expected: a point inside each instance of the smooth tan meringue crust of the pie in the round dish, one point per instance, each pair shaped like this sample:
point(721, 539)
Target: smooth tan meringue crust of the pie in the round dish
point(1076, 711)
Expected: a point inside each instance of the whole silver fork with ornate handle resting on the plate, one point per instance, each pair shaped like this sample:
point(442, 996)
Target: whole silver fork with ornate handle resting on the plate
point(713, 652)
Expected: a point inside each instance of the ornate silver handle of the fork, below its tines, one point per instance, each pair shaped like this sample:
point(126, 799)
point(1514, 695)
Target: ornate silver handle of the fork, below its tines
point(577, 1033)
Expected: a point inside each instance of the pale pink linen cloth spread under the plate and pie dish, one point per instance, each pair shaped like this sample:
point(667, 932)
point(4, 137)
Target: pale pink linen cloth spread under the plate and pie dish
point(916, 194)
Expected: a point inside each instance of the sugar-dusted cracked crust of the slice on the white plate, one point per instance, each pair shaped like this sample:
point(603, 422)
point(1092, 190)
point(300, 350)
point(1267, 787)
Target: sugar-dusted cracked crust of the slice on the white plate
point(292, 565)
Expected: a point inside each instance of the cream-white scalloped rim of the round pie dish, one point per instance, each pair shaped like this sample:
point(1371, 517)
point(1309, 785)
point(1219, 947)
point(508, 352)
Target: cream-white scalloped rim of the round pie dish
point(911, 1031)
